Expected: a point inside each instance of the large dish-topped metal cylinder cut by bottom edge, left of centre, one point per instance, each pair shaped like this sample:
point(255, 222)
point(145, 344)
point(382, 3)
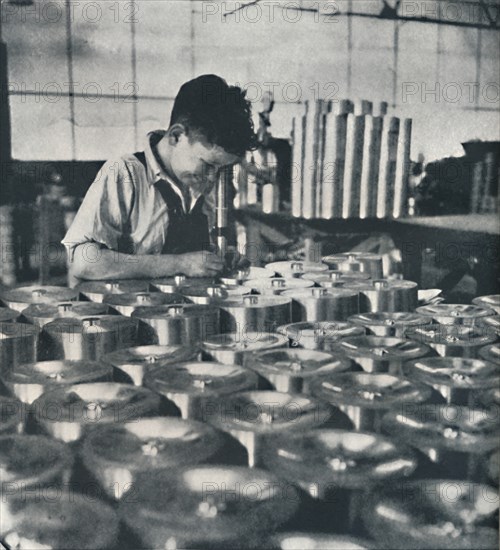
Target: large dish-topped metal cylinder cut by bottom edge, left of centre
point(206, 507)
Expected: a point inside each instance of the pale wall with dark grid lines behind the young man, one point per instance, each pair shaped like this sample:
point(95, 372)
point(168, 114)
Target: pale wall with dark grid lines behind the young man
point(116, 100)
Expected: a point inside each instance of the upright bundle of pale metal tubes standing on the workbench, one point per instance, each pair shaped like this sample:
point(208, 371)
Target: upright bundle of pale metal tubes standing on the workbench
point(350, 160)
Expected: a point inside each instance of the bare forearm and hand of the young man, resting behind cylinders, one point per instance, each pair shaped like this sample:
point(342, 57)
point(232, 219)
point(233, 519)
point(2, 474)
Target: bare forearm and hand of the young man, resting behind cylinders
point(94, 263)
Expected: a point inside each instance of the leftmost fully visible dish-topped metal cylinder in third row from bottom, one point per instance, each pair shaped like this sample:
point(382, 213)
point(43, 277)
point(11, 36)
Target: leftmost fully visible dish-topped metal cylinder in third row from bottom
point(67, 413)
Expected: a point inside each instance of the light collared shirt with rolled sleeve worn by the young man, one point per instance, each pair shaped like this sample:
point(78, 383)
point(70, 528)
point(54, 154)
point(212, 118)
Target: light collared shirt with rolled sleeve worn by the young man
point(123, 199)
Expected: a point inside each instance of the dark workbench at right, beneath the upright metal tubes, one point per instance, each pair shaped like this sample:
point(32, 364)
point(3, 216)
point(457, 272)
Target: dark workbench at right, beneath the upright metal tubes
point(463, 244)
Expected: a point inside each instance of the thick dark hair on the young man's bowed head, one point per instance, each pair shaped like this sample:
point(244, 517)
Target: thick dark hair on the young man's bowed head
point(220, 113)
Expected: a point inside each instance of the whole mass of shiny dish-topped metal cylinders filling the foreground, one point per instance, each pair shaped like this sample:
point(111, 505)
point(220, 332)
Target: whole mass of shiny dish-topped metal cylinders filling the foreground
point(292, 406)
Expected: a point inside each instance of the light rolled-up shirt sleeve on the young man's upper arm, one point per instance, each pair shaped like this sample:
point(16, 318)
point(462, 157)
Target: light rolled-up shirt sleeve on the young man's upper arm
point(105, 211)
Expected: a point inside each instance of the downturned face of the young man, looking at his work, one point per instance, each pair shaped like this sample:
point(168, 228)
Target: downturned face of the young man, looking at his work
point(197, 164)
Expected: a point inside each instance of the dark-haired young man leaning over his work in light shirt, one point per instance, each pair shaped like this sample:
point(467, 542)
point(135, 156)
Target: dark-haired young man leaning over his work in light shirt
point(149, 214)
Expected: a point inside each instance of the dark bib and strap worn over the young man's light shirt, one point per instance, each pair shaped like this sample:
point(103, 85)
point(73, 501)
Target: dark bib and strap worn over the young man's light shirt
point(187, 232)
